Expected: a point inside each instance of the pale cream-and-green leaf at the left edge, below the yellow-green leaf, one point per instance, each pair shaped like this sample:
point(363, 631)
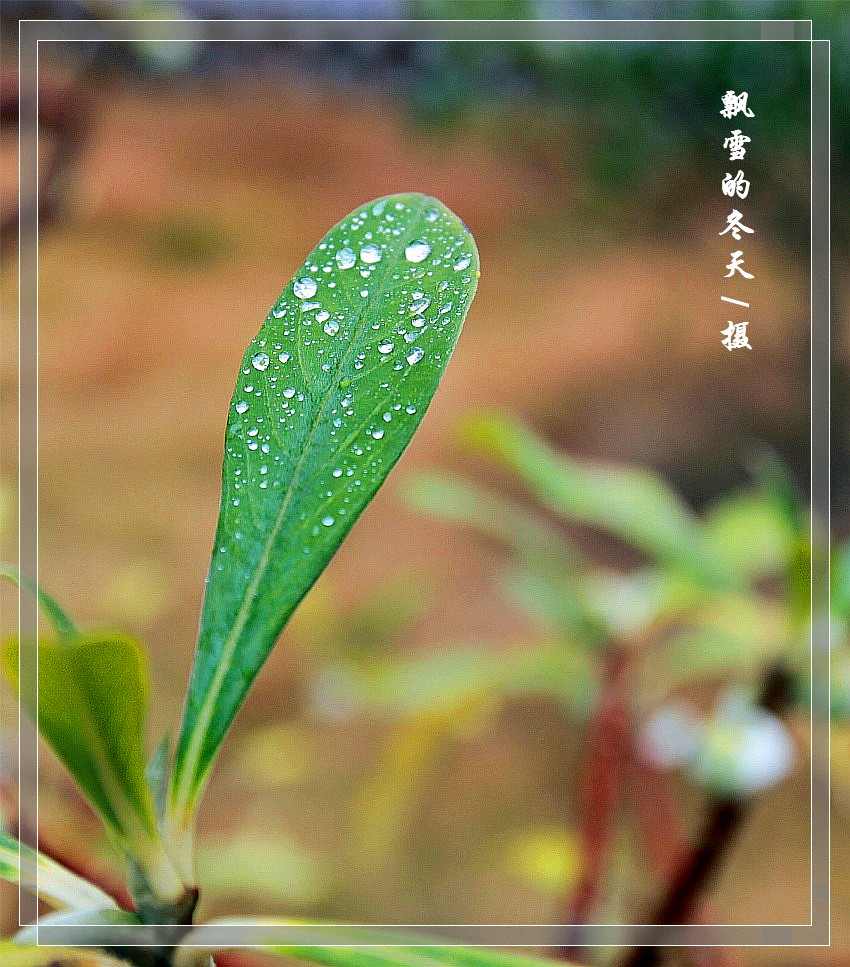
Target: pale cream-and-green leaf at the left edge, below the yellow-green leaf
point(54, 884)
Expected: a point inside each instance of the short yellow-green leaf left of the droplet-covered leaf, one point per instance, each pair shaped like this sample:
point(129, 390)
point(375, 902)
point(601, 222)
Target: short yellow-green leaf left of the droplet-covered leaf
point(92, 701)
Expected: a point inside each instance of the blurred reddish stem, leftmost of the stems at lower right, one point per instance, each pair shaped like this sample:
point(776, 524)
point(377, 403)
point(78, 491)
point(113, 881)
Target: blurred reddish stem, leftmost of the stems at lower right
point(607, 753)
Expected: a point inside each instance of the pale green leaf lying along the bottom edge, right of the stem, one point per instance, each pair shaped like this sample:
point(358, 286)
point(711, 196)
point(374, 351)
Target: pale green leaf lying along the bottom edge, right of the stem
point(343, 946)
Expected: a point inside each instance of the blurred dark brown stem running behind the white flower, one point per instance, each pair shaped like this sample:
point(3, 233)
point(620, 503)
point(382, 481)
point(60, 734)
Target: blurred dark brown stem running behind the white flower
point(697, 868)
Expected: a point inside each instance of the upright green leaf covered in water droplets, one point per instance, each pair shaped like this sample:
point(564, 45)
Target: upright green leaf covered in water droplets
point(329, 395)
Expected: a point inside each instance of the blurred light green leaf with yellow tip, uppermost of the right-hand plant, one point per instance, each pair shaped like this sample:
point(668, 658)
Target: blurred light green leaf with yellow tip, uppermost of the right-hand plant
point(635, 505)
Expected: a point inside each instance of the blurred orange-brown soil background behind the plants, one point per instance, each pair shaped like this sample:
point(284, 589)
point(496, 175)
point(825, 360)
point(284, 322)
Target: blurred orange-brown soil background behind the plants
point(188, 205)
